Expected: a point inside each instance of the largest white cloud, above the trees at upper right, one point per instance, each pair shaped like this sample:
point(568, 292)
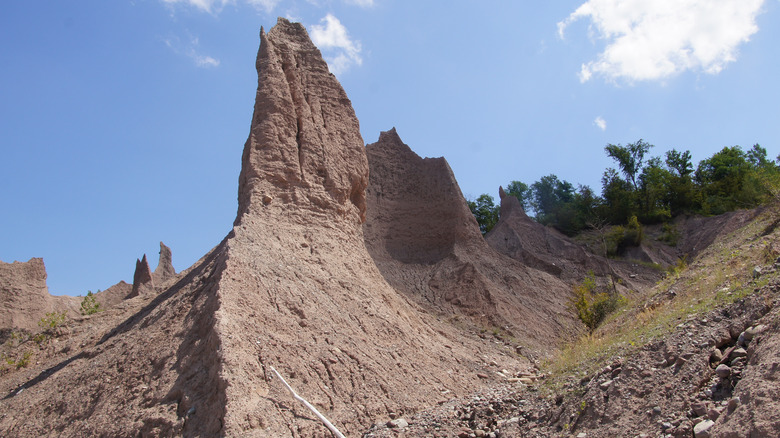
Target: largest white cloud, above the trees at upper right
point(651, 40)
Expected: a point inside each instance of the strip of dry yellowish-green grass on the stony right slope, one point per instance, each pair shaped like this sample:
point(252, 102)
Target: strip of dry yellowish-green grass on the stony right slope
point(721, 275)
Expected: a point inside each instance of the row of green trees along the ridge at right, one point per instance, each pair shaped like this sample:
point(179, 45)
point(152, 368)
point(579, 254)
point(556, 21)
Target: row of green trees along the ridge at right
point(644, 189)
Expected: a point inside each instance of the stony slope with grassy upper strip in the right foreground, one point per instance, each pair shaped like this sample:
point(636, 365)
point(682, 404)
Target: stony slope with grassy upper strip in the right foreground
point(698, 358)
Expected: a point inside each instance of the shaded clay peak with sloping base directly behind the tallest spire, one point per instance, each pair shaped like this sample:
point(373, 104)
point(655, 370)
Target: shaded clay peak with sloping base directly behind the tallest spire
point(427, 244)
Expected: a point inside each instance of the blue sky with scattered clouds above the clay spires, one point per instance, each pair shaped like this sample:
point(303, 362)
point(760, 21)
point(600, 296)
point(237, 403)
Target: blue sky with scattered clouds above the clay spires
point(122, 122)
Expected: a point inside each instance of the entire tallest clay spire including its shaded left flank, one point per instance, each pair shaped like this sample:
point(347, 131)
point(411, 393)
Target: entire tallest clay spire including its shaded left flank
point(292, 286)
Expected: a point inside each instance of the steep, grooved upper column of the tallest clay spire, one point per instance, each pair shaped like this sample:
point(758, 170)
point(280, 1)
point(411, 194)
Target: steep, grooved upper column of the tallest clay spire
point(304, 150)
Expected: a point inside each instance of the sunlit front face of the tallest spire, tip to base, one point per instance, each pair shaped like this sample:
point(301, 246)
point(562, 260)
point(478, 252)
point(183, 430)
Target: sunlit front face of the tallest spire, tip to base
point(299, 291)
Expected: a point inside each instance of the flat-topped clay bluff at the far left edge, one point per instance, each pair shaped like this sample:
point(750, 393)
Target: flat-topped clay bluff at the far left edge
point(24, 296)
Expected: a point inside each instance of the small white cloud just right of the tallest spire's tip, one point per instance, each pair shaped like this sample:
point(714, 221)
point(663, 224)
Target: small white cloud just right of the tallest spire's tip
point(339, 50)
